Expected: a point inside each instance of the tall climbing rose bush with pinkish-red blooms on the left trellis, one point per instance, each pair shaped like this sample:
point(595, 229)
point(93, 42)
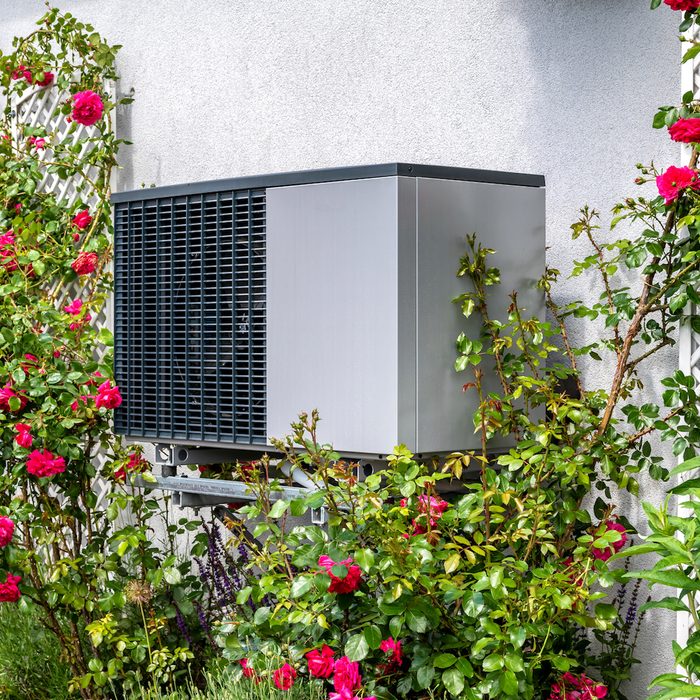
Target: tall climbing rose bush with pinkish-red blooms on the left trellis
point(120, 608)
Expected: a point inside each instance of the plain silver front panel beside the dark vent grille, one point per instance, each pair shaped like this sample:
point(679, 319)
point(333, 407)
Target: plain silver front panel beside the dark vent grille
point(332, 299)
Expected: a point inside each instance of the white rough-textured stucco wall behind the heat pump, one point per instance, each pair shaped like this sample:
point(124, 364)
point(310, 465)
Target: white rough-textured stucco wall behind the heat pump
point(565, 88)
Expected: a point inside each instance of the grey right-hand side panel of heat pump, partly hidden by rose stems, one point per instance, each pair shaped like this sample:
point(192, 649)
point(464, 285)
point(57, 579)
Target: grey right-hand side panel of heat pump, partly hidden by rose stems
point(507, 218)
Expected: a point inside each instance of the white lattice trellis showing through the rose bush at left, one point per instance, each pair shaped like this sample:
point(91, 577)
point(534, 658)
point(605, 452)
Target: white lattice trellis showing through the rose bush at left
point(40, 107)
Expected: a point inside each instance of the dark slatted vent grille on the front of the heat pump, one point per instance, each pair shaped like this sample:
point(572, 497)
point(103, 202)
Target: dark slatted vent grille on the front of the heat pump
point(190, 317)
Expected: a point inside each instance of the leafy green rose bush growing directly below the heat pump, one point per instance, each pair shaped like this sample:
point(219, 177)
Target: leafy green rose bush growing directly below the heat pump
point(485, 593)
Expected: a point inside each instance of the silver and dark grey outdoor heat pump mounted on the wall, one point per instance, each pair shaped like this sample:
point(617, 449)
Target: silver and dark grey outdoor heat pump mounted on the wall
point(240, 303)
